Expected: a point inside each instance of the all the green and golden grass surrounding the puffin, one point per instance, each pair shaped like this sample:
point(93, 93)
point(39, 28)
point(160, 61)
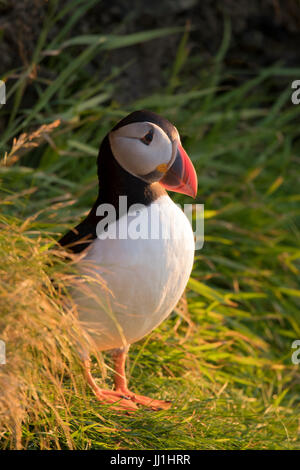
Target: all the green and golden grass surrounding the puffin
point(225, 362)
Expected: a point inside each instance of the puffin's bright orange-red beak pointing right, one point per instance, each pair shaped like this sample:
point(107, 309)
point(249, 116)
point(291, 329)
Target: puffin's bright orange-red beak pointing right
point(181, 177)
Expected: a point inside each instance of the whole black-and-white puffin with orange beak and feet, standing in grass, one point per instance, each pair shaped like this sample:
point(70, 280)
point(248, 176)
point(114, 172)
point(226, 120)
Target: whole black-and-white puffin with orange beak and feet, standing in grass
point(135, 243)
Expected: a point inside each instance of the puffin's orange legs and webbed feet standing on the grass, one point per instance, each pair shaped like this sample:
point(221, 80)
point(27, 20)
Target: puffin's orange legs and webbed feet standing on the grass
point(122, 397)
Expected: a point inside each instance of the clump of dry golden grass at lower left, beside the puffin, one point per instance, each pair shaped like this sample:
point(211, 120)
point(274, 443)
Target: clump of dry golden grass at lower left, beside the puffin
point(42, 336)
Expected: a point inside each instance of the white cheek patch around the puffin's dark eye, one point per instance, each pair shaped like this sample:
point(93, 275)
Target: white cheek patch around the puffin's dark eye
point(142, 148)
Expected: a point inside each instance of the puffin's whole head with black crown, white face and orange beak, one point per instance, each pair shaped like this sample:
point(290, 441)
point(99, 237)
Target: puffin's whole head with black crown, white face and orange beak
point(141, 149)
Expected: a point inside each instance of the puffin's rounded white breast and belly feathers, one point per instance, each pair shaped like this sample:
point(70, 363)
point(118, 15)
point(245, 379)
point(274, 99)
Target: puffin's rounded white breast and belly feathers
point(145, 277)
